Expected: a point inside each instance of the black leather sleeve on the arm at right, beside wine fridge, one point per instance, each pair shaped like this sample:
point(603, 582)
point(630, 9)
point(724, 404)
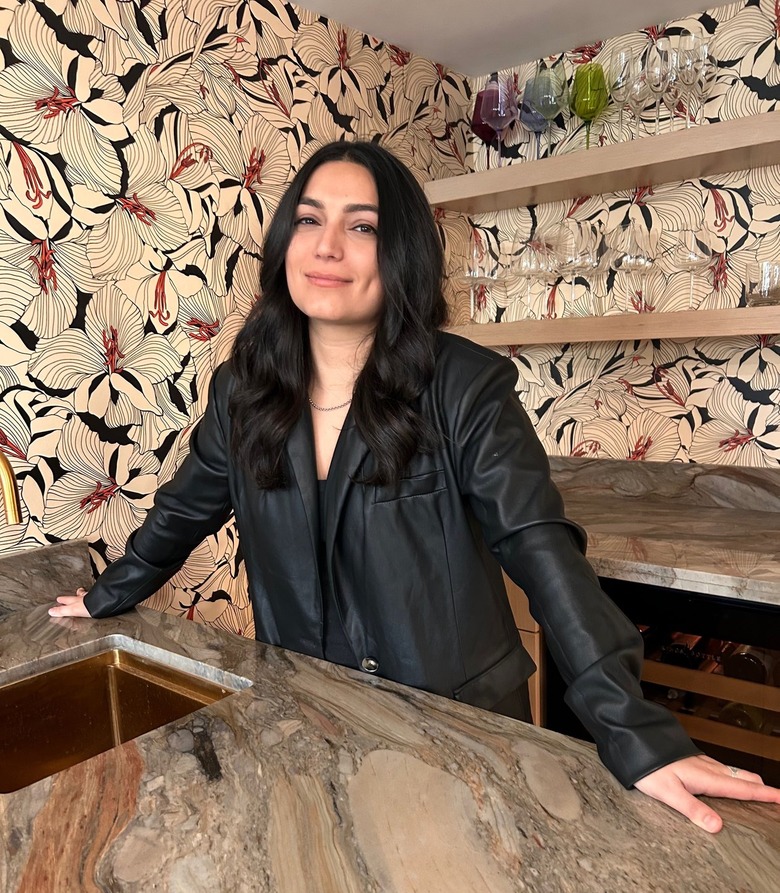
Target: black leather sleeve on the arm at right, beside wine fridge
point(504, 474)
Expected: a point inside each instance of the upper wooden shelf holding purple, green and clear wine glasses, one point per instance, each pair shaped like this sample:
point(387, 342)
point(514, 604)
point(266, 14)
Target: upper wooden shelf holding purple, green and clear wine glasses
point(699, 152)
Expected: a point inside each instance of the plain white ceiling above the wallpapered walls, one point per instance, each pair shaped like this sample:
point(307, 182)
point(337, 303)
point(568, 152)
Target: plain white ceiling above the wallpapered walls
point(475, 37)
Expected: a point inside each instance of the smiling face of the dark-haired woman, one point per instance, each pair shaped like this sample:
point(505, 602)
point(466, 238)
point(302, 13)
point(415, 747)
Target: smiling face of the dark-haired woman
point(331, 262)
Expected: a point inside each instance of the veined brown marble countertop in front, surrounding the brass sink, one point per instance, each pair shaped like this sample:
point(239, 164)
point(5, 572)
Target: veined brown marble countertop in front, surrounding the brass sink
point(318, 778)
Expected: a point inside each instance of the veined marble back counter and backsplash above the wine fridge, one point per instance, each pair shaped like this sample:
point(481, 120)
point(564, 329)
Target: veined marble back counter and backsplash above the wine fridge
point(677, 526)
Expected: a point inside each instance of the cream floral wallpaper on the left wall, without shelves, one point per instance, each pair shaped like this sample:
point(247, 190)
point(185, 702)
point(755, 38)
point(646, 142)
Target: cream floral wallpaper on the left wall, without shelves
point(144, 146)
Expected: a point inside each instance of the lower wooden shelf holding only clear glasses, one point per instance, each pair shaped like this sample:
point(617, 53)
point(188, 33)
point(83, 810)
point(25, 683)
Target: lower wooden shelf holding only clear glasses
point(683, 326)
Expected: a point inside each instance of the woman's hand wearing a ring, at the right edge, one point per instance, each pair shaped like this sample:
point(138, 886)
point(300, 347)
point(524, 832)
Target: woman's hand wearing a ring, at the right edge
point(679, 782)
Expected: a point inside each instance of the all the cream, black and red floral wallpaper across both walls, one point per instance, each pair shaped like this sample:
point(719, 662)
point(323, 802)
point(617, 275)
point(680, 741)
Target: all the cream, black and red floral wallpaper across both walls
point(144, 146)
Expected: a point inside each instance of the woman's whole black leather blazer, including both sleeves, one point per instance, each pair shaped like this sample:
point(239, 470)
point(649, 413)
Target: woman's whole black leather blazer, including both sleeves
point(415, 566)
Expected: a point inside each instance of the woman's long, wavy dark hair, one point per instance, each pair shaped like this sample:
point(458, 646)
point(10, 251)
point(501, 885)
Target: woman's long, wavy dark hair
point(271, 356)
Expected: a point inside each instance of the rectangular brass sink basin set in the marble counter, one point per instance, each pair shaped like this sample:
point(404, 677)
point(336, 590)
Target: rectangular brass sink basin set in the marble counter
point(61, 715)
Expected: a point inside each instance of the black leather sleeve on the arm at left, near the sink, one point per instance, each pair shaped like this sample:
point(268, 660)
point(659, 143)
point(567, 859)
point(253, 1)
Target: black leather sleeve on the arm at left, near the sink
point(194, 504)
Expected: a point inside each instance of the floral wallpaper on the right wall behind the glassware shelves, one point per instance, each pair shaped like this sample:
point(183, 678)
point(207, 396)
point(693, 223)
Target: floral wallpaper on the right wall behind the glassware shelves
point(710, 400)
